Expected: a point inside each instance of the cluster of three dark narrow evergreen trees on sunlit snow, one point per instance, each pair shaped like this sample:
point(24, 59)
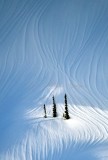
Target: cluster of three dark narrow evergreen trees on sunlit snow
point(66, 112)
